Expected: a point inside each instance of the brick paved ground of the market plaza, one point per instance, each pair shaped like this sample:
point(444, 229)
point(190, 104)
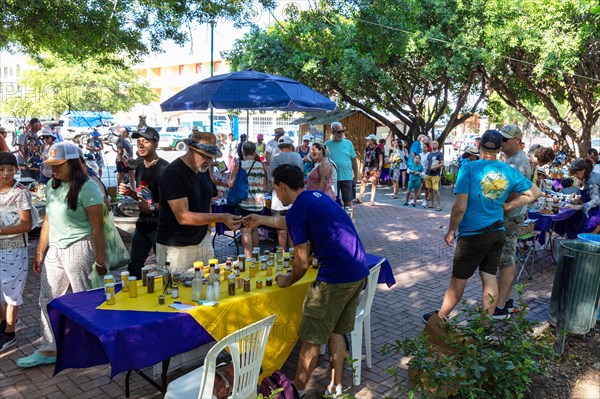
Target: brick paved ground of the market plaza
point(411, 239)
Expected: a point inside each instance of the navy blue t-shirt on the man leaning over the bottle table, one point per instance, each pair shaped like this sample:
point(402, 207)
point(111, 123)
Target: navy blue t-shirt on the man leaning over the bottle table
point(316, 218)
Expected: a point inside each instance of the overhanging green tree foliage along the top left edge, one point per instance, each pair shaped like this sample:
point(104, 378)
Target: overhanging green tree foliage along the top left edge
point(77, 29)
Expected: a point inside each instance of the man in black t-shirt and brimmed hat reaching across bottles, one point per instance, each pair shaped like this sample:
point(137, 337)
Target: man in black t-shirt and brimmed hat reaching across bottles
point(186, 190)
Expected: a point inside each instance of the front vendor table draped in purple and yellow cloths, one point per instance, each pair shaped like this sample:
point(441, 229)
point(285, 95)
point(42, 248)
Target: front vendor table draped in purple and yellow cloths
point(87, 335)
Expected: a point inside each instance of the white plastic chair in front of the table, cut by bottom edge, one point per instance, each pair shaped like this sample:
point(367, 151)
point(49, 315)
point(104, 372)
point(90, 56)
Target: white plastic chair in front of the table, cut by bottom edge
point(247, 348)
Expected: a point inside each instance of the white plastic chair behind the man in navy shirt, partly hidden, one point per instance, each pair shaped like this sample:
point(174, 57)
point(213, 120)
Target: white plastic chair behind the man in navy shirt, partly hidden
point(363, 322)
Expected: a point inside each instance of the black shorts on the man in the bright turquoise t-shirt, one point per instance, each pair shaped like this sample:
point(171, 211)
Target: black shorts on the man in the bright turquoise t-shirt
point(482, 250)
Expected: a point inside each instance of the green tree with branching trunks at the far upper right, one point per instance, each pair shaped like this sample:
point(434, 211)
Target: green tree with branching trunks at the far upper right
point(545, 55)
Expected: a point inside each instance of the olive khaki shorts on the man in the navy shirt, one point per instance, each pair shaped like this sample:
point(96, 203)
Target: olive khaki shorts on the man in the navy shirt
point(329, 308)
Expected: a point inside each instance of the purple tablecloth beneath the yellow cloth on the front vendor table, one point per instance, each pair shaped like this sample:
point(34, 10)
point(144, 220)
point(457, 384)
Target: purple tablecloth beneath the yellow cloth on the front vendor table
point(130, 340)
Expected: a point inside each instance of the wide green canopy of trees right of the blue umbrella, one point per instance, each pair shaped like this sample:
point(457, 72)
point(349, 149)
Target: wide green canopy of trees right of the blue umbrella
point(431, 61)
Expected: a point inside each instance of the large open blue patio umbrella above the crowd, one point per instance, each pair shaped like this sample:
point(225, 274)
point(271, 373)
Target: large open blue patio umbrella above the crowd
point(249, 90)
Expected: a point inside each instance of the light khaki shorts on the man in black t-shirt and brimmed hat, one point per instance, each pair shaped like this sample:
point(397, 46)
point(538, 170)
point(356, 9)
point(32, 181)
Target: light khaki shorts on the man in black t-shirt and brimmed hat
point(182, 258)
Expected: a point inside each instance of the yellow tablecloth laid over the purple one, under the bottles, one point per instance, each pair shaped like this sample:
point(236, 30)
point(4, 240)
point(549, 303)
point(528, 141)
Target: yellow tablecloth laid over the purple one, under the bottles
point(235, 312)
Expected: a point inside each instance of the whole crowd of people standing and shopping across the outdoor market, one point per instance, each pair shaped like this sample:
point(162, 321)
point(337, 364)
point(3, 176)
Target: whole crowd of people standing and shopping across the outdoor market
point(496, 181)
